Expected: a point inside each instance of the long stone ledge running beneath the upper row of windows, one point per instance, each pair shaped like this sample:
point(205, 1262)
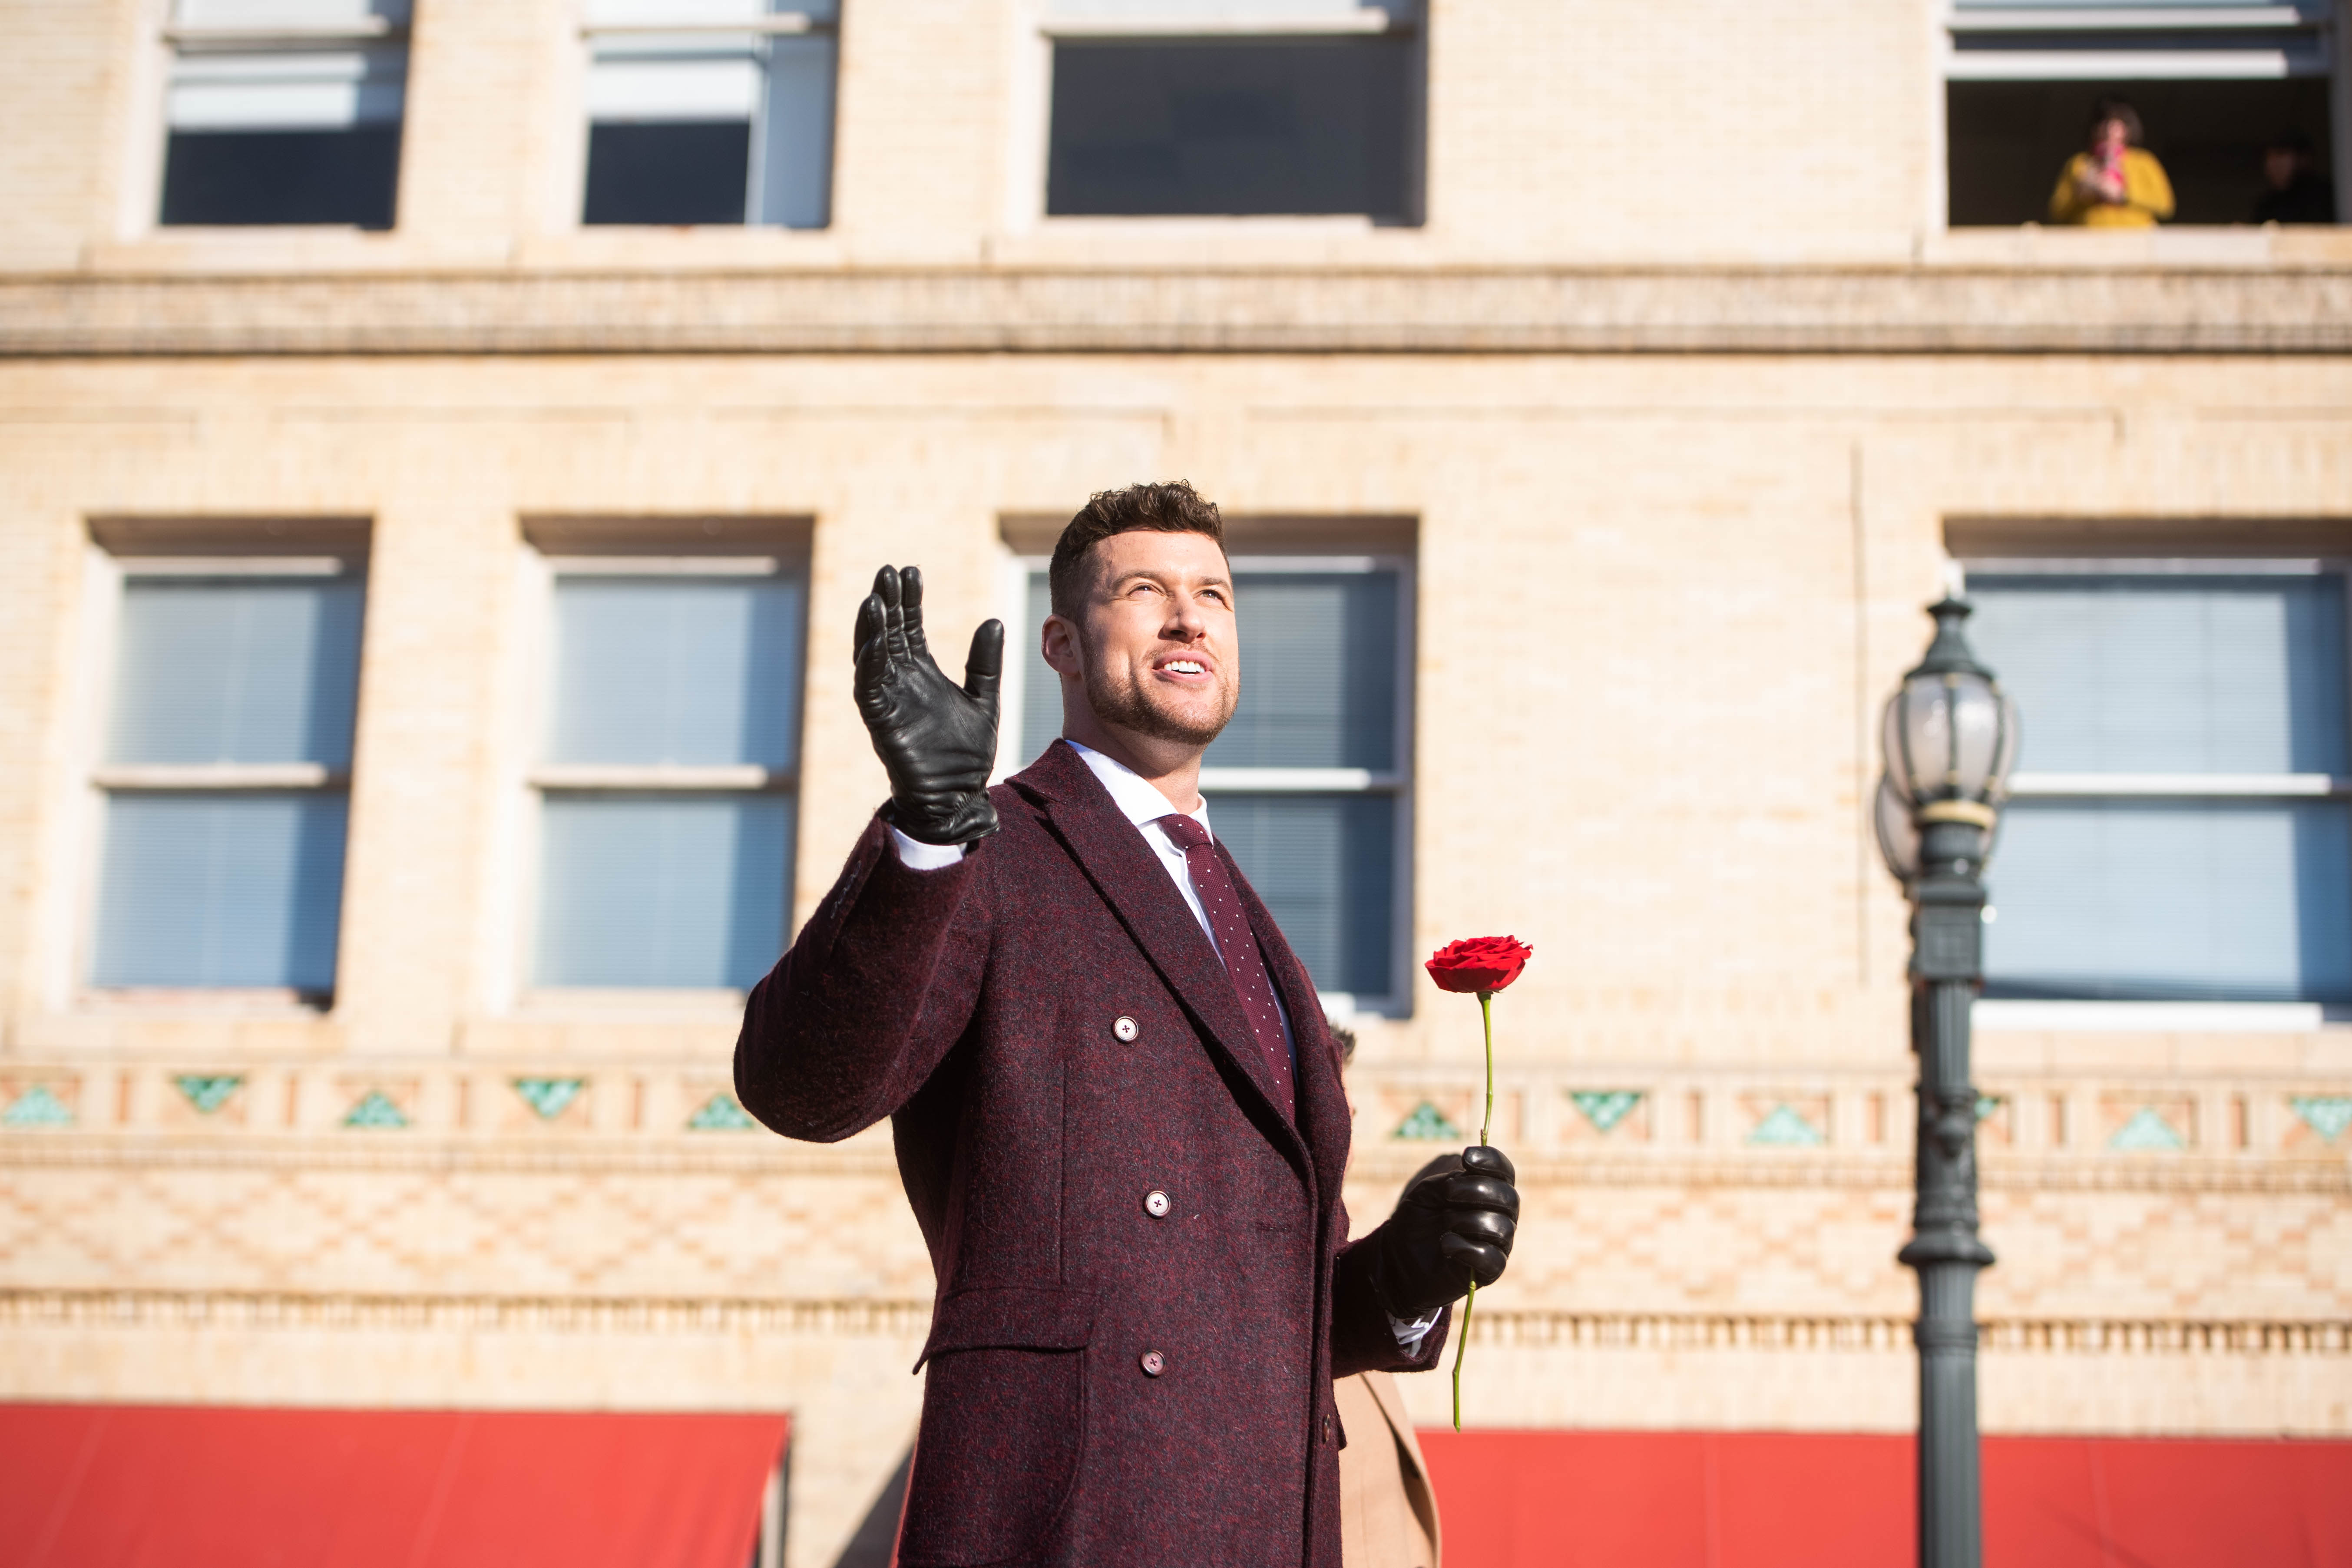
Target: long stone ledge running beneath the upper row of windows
point(1833, 311)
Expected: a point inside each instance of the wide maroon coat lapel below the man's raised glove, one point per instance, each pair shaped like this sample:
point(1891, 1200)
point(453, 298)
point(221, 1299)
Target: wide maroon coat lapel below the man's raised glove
point(1140, 892)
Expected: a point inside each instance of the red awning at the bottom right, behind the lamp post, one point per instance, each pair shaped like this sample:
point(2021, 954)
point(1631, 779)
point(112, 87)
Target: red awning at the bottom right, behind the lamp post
point(1845, 1501)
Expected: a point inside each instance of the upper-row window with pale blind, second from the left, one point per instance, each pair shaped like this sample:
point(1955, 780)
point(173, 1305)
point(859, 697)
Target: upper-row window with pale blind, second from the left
point(711, 112)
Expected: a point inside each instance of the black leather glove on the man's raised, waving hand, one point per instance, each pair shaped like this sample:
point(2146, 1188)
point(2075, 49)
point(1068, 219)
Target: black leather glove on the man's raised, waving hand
point(937, 739)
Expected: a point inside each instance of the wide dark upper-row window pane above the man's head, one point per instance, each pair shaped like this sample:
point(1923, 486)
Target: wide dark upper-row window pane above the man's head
point(1283, 126)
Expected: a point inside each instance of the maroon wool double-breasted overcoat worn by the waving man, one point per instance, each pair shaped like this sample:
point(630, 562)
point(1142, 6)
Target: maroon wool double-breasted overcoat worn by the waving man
point(980, 1007)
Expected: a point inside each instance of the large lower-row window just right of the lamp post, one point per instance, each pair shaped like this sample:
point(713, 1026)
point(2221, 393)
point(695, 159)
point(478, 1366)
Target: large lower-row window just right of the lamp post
point(2181, 826)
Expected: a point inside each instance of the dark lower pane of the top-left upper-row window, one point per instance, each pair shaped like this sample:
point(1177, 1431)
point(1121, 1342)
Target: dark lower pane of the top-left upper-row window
point(283, 177)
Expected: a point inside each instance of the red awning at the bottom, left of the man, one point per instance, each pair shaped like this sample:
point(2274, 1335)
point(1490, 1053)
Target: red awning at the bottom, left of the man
point(201, 1487)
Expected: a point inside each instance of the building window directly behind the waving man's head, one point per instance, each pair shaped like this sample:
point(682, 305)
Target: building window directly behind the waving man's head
point(1311, 784)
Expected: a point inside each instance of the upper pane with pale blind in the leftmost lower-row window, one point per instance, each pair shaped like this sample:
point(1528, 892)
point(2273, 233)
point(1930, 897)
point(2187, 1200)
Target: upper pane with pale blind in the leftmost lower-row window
point(236, 671)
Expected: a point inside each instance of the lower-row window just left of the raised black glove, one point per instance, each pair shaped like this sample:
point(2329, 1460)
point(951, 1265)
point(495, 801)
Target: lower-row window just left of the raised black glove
point(667, 791)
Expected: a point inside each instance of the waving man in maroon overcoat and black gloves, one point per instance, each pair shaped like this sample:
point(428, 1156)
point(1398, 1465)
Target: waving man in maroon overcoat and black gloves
point(1114, 1097)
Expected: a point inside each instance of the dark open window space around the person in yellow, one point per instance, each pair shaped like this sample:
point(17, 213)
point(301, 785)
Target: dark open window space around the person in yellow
point(2012, 140)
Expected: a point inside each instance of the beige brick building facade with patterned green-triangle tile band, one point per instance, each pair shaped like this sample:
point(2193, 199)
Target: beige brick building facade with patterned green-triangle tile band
point(1681, 394)
